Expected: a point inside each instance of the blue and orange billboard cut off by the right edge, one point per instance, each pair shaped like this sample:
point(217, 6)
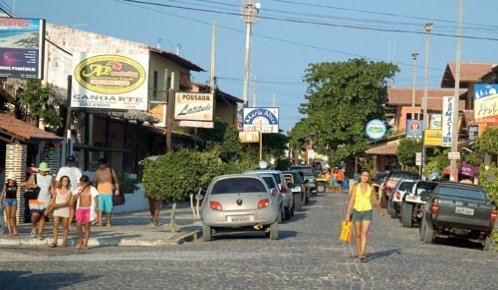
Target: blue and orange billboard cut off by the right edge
point(486, 103)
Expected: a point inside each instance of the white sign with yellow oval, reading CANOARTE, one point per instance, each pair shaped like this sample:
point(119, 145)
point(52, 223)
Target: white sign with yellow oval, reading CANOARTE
point(110, 81)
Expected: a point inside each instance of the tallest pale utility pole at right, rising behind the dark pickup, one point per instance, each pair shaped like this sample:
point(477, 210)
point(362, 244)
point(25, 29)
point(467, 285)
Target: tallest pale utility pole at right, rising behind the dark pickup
point(456, 94)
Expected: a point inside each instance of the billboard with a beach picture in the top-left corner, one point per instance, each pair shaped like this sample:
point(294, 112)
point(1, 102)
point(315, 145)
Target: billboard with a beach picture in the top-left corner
point(21, 48)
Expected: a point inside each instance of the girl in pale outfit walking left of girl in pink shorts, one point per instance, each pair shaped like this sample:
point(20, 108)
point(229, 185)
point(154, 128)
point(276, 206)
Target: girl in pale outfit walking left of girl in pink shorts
point(60, 205)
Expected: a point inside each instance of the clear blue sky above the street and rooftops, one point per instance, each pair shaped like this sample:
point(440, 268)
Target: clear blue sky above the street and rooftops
point(289, 35)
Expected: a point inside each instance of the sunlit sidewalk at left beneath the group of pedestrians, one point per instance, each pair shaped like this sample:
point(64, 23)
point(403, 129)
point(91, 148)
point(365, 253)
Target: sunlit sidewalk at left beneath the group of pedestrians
point(128, 229)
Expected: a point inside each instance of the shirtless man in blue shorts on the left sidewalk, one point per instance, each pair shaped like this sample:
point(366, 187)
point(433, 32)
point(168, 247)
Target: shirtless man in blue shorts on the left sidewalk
point(107, 184)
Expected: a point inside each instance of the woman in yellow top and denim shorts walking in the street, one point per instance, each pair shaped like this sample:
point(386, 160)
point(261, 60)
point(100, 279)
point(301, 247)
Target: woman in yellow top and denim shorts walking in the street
point(360, 210)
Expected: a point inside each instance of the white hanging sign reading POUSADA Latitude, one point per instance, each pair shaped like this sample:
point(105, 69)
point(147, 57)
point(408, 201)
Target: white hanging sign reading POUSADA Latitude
point(194, 106)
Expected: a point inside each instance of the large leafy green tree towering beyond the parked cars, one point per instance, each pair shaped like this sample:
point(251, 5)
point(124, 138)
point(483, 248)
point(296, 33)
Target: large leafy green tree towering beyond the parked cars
point(341, 98)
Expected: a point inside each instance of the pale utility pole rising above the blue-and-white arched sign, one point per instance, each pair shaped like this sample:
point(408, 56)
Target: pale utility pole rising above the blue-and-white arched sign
point(248, 9)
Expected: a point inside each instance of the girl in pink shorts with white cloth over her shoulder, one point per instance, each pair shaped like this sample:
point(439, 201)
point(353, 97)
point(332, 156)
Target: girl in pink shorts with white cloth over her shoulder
point(86, 198)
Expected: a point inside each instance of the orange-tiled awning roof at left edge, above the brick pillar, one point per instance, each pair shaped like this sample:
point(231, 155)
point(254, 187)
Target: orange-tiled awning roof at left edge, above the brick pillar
point(24, 131)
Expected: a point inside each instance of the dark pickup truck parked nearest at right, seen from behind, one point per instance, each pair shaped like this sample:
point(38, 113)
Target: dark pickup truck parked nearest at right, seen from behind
point(459, 210)
